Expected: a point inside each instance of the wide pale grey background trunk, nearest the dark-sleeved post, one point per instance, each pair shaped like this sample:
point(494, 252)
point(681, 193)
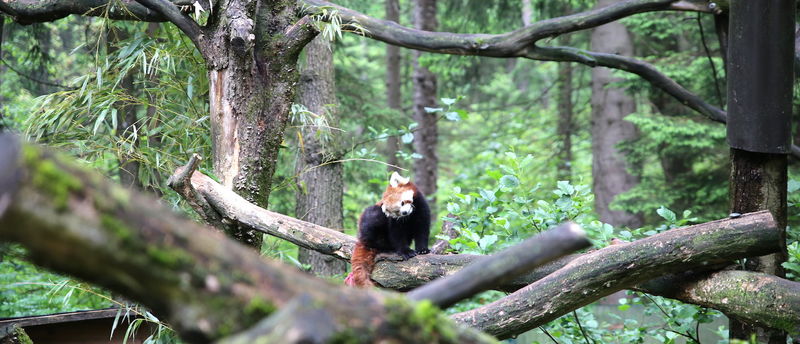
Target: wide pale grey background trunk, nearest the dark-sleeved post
point(610, 105)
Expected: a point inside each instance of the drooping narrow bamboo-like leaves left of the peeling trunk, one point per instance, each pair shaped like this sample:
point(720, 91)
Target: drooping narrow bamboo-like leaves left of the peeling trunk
point(168, 101)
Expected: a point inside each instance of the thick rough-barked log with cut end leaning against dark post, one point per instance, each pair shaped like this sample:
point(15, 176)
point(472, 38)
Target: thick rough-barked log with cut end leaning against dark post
point(596, 274)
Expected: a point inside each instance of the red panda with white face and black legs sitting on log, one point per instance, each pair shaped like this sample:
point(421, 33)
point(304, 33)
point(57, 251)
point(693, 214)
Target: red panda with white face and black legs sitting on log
point(402, 215)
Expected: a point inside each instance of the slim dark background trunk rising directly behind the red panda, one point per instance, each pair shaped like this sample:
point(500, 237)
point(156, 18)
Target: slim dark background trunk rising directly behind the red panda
point(426, 134)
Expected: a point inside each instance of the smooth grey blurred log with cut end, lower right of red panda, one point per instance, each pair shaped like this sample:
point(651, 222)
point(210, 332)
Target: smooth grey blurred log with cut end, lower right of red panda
point(494, 270)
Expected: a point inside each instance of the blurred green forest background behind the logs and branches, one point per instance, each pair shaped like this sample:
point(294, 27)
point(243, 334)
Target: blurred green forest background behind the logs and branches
point(515, 152)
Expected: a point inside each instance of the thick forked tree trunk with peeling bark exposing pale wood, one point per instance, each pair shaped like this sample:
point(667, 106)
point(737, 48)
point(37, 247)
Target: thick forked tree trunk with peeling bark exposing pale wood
point(252, 57)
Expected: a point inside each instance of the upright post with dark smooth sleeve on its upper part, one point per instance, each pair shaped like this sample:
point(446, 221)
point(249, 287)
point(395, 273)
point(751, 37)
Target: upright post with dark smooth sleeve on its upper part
point(760, 87)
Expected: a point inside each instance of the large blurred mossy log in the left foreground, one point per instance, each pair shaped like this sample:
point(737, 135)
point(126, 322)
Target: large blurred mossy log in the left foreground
point(204, 285)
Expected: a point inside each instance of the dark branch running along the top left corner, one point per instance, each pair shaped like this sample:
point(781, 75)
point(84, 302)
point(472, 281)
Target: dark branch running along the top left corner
point(37, 11)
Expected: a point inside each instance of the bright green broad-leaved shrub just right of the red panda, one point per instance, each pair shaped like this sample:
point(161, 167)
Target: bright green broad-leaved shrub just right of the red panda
point(490, 219)
